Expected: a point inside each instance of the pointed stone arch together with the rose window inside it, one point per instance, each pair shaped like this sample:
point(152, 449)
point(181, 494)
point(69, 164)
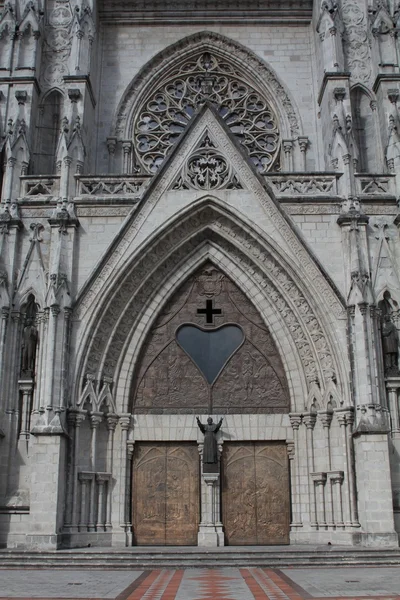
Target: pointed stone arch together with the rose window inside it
point(205, 67)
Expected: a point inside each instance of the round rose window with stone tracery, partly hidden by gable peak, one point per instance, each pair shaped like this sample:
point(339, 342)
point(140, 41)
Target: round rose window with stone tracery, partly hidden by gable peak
point(163, 118)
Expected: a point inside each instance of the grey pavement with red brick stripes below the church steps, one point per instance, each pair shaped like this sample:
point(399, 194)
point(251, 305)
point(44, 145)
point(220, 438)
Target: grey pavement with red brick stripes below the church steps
point(203, 584)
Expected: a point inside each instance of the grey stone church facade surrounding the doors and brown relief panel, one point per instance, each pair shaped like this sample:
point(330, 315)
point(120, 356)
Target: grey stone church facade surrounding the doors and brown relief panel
point(103, 245)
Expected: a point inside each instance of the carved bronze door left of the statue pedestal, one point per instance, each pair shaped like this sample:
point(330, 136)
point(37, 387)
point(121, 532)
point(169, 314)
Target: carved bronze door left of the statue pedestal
point(165, 494)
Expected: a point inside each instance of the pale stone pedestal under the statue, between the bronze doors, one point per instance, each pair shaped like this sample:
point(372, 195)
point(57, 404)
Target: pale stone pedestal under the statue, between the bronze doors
point(210, 529)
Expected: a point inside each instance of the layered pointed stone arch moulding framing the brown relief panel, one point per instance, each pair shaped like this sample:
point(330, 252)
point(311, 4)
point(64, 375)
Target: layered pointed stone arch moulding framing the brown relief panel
point(209, 231)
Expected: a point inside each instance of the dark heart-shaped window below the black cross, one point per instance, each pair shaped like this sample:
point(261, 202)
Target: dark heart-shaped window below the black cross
point(210, 349)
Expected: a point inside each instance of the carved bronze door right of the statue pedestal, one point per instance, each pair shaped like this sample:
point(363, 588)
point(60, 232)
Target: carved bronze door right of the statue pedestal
point(255, 493)
